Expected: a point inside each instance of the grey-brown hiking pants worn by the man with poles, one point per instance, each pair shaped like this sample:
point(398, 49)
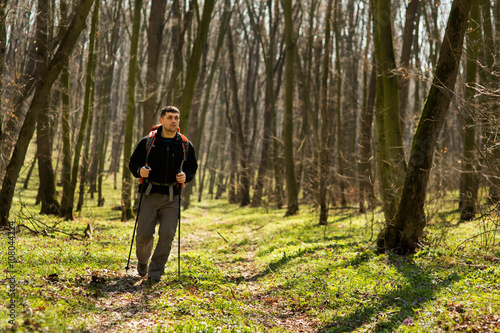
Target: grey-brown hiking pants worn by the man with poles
point(156, 208)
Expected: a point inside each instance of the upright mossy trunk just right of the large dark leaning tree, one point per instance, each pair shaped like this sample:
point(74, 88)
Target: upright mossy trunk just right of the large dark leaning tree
point(469, 180)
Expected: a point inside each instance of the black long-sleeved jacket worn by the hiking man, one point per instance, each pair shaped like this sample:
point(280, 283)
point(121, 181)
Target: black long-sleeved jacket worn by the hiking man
point(165, 160)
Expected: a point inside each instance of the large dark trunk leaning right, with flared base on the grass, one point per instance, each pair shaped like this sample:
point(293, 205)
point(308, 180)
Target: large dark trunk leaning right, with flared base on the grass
point(404, 232)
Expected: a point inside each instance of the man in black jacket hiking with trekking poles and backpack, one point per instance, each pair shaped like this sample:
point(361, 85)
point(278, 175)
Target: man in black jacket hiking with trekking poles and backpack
point(164, 160)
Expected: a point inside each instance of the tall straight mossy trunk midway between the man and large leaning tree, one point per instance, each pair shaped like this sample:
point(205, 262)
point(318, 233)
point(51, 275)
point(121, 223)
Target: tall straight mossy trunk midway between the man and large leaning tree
point(291, 182)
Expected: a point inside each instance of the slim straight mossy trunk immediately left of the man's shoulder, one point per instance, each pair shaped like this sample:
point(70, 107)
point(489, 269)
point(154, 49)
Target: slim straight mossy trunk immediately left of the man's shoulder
point(129, 123)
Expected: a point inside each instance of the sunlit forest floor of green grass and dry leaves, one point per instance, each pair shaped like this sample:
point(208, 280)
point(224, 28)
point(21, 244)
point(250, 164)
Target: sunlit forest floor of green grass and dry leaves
point(251, 270)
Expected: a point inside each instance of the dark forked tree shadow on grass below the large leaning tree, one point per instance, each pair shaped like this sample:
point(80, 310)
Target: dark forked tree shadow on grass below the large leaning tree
point(403, 301)
